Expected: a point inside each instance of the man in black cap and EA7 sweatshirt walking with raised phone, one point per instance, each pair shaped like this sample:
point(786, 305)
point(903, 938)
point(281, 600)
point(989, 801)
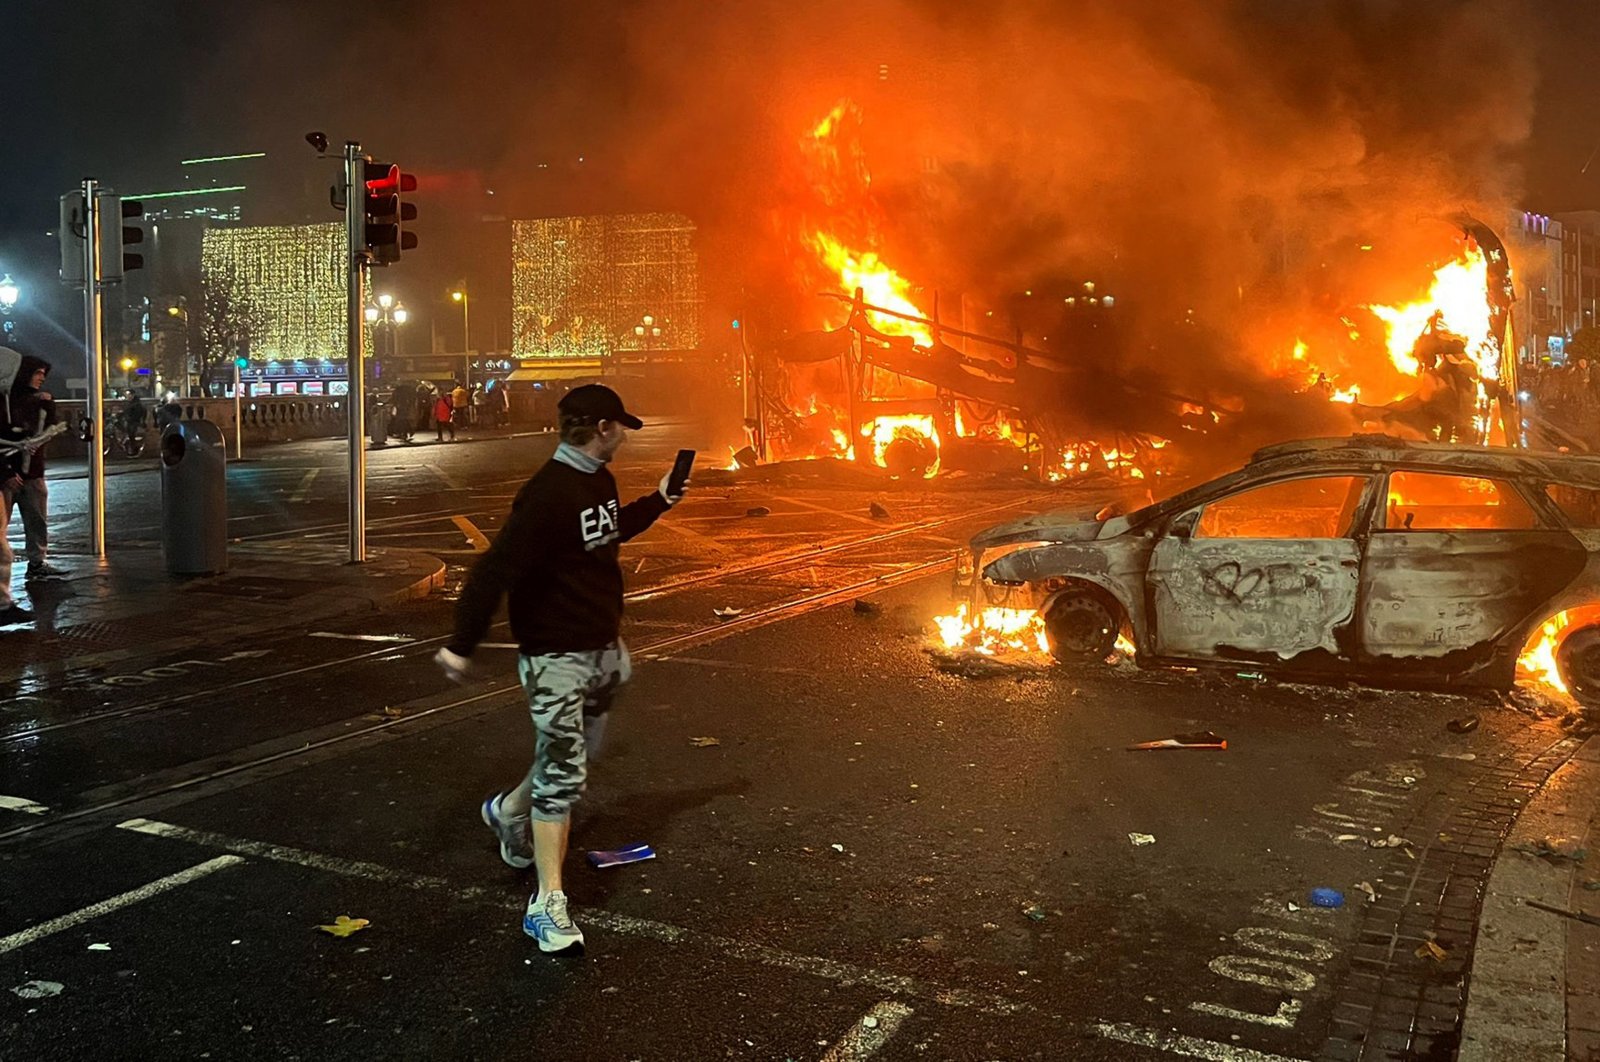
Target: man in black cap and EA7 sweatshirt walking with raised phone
point(558, 559)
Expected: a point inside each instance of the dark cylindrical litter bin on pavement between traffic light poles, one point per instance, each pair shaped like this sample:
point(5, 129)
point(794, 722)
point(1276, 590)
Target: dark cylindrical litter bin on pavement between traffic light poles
point(194, 498)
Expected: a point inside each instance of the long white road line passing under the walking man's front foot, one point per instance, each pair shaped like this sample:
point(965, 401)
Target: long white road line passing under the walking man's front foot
point(818, 967)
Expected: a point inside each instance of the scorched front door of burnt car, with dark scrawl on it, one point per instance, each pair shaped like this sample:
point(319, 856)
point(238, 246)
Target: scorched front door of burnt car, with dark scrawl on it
point(1262, 575)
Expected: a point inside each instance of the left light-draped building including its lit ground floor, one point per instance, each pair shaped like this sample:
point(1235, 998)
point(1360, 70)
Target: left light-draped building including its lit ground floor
point(276, 297)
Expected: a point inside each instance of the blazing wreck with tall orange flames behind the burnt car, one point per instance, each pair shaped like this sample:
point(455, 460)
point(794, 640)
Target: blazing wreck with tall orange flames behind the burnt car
point(892, 383)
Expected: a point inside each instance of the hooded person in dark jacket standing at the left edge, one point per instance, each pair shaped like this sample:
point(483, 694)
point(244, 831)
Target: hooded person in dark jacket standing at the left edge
point(28, 425)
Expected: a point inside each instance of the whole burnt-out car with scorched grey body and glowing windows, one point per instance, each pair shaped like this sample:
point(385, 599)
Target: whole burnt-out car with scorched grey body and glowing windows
point(1366, 559)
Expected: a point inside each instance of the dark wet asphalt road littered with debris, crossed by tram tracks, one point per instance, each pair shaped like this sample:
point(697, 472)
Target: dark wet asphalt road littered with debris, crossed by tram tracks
point(943, 864)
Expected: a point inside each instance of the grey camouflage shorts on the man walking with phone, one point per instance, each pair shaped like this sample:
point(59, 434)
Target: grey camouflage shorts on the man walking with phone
point(569, 697)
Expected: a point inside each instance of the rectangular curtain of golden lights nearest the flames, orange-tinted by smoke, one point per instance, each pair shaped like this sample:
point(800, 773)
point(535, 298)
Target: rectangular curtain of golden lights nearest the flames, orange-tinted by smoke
point(586, 285)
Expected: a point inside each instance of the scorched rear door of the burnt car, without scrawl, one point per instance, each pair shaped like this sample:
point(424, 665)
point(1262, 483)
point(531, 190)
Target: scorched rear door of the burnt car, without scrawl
point(1455, 564)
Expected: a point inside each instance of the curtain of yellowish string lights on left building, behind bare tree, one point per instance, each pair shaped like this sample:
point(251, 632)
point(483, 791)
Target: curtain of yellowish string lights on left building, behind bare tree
point(287, 281)
